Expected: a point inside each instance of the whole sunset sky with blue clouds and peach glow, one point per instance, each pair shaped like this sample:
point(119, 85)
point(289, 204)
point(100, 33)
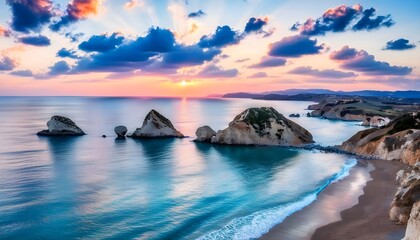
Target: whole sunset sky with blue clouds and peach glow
point(192, 48)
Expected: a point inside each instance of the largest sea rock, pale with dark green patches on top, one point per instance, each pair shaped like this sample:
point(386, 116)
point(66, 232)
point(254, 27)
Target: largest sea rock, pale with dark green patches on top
point(262, 126)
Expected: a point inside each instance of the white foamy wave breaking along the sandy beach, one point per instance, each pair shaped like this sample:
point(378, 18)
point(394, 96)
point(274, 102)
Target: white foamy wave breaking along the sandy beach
point(258, 223)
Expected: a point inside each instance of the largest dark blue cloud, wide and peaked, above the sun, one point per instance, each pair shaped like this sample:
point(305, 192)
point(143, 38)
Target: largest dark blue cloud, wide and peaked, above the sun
point(156, 52)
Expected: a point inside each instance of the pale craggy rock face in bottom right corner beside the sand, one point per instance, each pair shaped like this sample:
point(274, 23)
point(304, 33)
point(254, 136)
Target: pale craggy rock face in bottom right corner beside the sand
point(405, 207)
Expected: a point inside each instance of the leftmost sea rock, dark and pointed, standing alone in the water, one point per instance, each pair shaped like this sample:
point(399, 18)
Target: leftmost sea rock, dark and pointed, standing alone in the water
point(61, 126)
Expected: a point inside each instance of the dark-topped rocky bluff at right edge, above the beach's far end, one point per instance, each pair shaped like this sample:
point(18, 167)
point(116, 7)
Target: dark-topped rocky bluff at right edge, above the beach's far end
point(399, 140)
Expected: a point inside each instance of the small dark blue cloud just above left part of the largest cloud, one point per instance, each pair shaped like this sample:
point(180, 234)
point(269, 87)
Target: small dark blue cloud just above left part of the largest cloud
point(102, 43)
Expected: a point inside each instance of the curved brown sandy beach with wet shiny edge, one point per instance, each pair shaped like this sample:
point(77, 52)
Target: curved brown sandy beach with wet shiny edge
point(353, 208)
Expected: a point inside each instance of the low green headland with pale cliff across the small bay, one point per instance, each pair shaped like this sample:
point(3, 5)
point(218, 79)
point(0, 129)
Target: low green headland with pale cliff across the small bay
point(372, 113)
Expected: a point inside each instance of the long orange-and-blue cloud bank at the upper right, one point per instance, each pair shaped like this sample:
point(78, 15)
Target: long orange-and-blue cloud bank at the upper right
point(342, 18)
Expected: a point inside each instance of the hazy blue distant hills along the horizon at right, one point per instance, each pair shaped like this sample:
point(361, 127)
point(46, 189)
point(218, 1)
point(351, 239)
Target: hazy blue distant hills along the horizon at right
point(291, 92)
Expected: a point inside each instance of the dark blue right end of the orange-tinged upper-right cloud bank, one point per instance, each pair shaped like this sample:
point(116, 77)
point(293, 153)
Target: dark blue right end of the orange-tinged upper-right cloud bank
point(369, 22)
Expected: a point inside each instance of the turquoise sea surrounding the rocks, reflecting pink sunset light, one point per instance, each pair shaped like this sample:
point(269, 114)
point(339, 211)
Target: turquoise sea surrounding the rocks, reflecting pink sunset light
point(101, 188)
